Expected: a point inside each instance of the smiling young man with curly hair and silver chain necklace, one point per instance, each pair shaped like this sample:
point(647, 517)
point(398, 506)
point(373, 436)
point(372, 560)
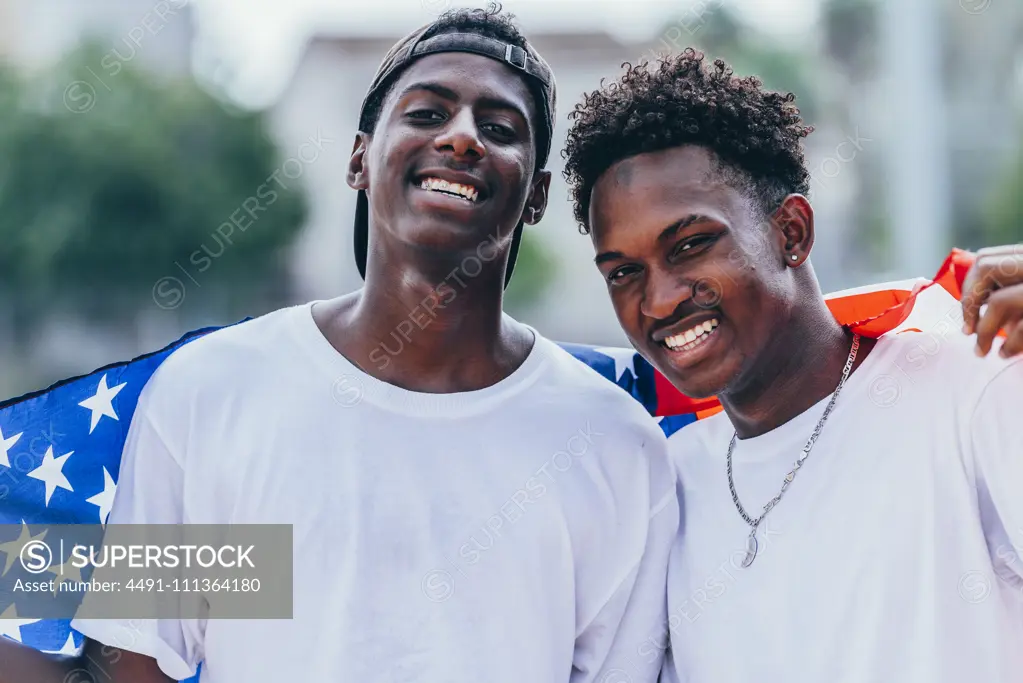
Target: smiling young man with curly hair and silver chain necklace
point(829, 533)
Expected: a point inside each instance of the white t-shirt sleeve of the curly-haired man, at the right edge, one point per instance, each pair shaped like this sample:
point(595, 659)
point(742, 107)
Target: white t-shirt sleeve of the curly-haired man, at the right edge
point(997, 445)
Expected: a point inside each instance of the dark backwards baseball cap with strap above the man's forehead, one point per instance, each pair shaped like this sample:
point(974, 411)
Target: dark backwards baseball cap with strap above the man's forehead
point(533, 68)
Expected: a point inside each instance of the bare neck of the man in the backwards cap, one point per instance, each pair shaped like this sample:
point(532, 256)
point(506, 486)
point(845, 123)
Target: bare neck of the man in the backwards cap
point(436, 337)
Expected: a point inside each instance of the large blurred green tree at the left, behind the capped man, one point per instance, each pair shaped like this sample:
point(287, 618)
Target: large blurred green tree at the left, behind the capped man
point(109, 186)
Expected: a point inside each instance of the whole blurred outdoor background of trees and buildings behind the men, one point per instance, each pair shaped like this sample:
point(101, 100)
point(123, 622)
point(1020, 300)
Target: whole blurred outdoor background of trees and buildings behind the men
point(167, 165)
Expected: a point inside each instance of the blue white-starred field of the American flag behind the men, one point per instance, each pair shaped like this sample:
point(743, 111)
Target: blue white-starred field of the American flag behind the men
point(61, 453)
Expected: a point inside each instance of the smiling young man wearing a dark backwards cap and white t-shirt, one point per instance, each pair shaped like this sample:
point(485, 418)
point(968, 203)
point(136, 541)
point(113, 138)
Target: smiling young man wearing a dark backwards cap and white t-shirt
point(459, 514)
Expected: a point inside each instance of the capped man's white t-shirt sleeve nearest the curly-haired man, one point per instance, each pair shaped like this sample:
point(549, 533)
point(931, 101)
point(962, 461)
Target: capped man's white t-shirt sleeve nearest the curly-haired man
point(614, 648)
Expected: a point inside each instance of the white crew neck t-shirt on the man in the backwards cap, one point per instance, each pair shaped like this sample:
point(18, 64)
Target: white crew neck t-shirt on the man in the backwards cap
point(517, 533)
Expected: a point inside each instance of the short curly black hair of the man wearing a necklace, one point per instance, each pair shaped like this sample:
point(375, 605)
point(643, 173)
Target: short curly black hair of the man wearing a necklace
point(755, 134)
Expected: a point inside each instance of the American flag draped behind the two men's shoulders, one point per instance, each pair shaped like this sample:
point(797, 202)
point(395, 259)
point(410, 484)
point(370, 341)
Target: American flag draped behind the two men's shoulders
point(61, 448)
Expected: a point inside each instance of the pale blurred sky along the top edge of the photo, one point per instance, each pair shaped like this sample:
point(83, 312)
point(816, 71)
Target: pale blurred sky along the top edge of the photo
point(259, 42)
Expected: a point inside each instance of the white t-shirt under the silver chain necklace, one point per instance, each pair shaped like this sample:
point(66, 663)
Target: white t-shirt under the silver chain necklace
point(896, 554)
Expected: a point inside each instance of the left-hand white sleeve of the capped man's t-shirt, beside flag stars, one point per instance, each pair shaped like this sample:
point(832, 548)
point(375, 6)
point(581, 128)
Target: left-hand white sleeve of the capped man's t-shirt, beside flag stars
point(150, 490)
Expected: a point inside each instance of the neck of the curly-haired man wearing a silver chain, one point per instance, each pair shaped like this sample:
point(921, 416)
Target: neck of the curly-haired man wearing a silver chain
point(803, 367)
